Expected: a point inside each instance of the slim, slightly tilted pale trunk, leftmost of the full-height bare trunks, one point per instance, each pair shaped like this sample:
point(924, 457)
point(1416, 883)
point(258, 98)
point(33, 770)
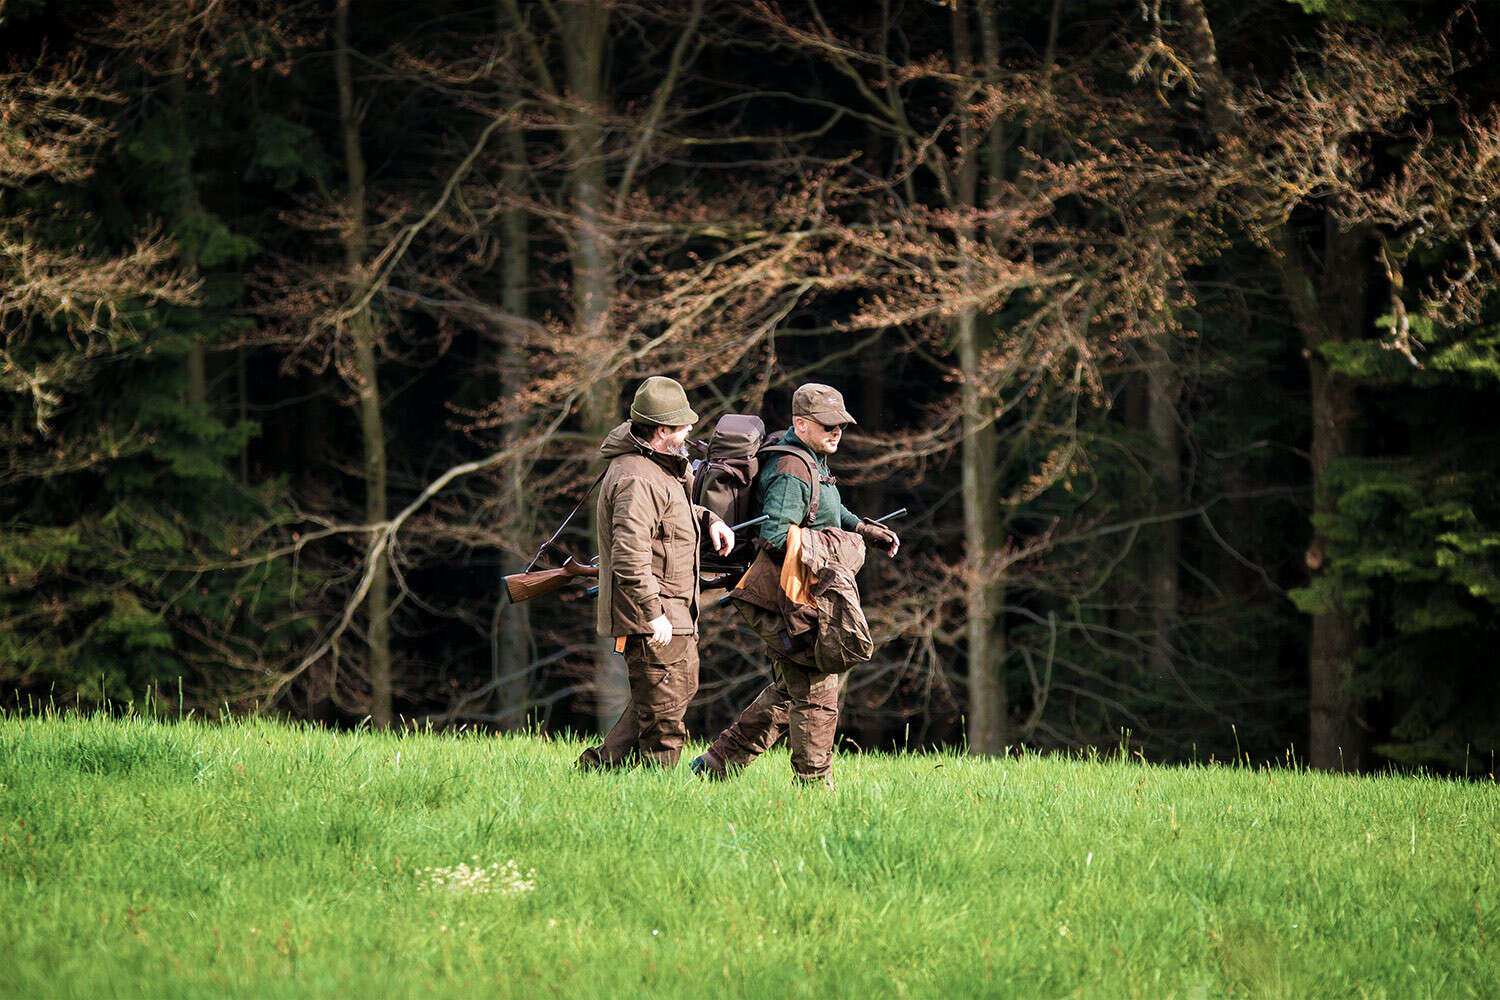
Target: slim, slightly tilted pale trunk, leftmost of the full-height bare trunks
point(362, 331)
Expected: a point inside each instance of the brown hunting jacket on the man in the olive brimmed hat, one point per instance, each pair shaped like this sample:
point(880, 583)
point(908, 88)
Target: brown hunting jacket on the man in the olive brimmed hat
point(649, 539)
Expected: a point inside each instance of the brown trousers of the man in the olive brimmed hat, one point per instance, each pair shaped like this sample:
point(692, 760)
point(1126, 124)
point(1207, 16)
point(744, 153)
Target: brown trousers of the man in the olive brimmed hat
point(652, 731)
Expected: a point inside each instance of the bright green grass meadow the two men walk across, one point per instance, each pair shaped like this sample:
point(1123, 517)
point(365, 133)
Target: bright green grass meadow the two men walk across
point(142, 858)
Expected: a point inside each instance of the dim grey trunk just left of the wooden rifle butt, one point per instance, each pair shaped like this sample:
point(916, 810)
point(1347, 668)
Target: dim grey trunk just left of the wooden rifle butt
point(511, 668)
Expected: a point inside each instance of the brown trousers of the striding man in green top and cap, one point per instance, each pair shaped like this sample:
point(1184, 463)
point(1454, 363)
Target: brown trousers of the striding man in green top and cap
point(802, 704)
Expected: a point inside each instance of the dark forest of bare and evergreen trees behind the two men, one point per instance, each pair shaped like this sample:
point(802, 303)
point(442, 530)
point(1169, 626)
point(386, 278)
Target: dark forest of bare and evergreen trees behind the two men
point(1169, 322)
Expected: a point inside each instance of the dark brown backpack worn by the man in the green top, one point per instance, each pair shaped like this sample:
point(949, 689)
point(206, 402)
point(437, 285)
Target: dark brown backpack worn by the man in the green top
point(724, 482)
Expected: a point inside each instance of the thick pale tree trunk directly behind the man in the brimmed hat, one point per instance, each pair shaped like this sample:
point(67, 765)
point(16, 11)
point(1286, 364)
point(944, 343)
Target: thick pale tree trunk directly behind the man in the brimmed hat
point(593, 280)
